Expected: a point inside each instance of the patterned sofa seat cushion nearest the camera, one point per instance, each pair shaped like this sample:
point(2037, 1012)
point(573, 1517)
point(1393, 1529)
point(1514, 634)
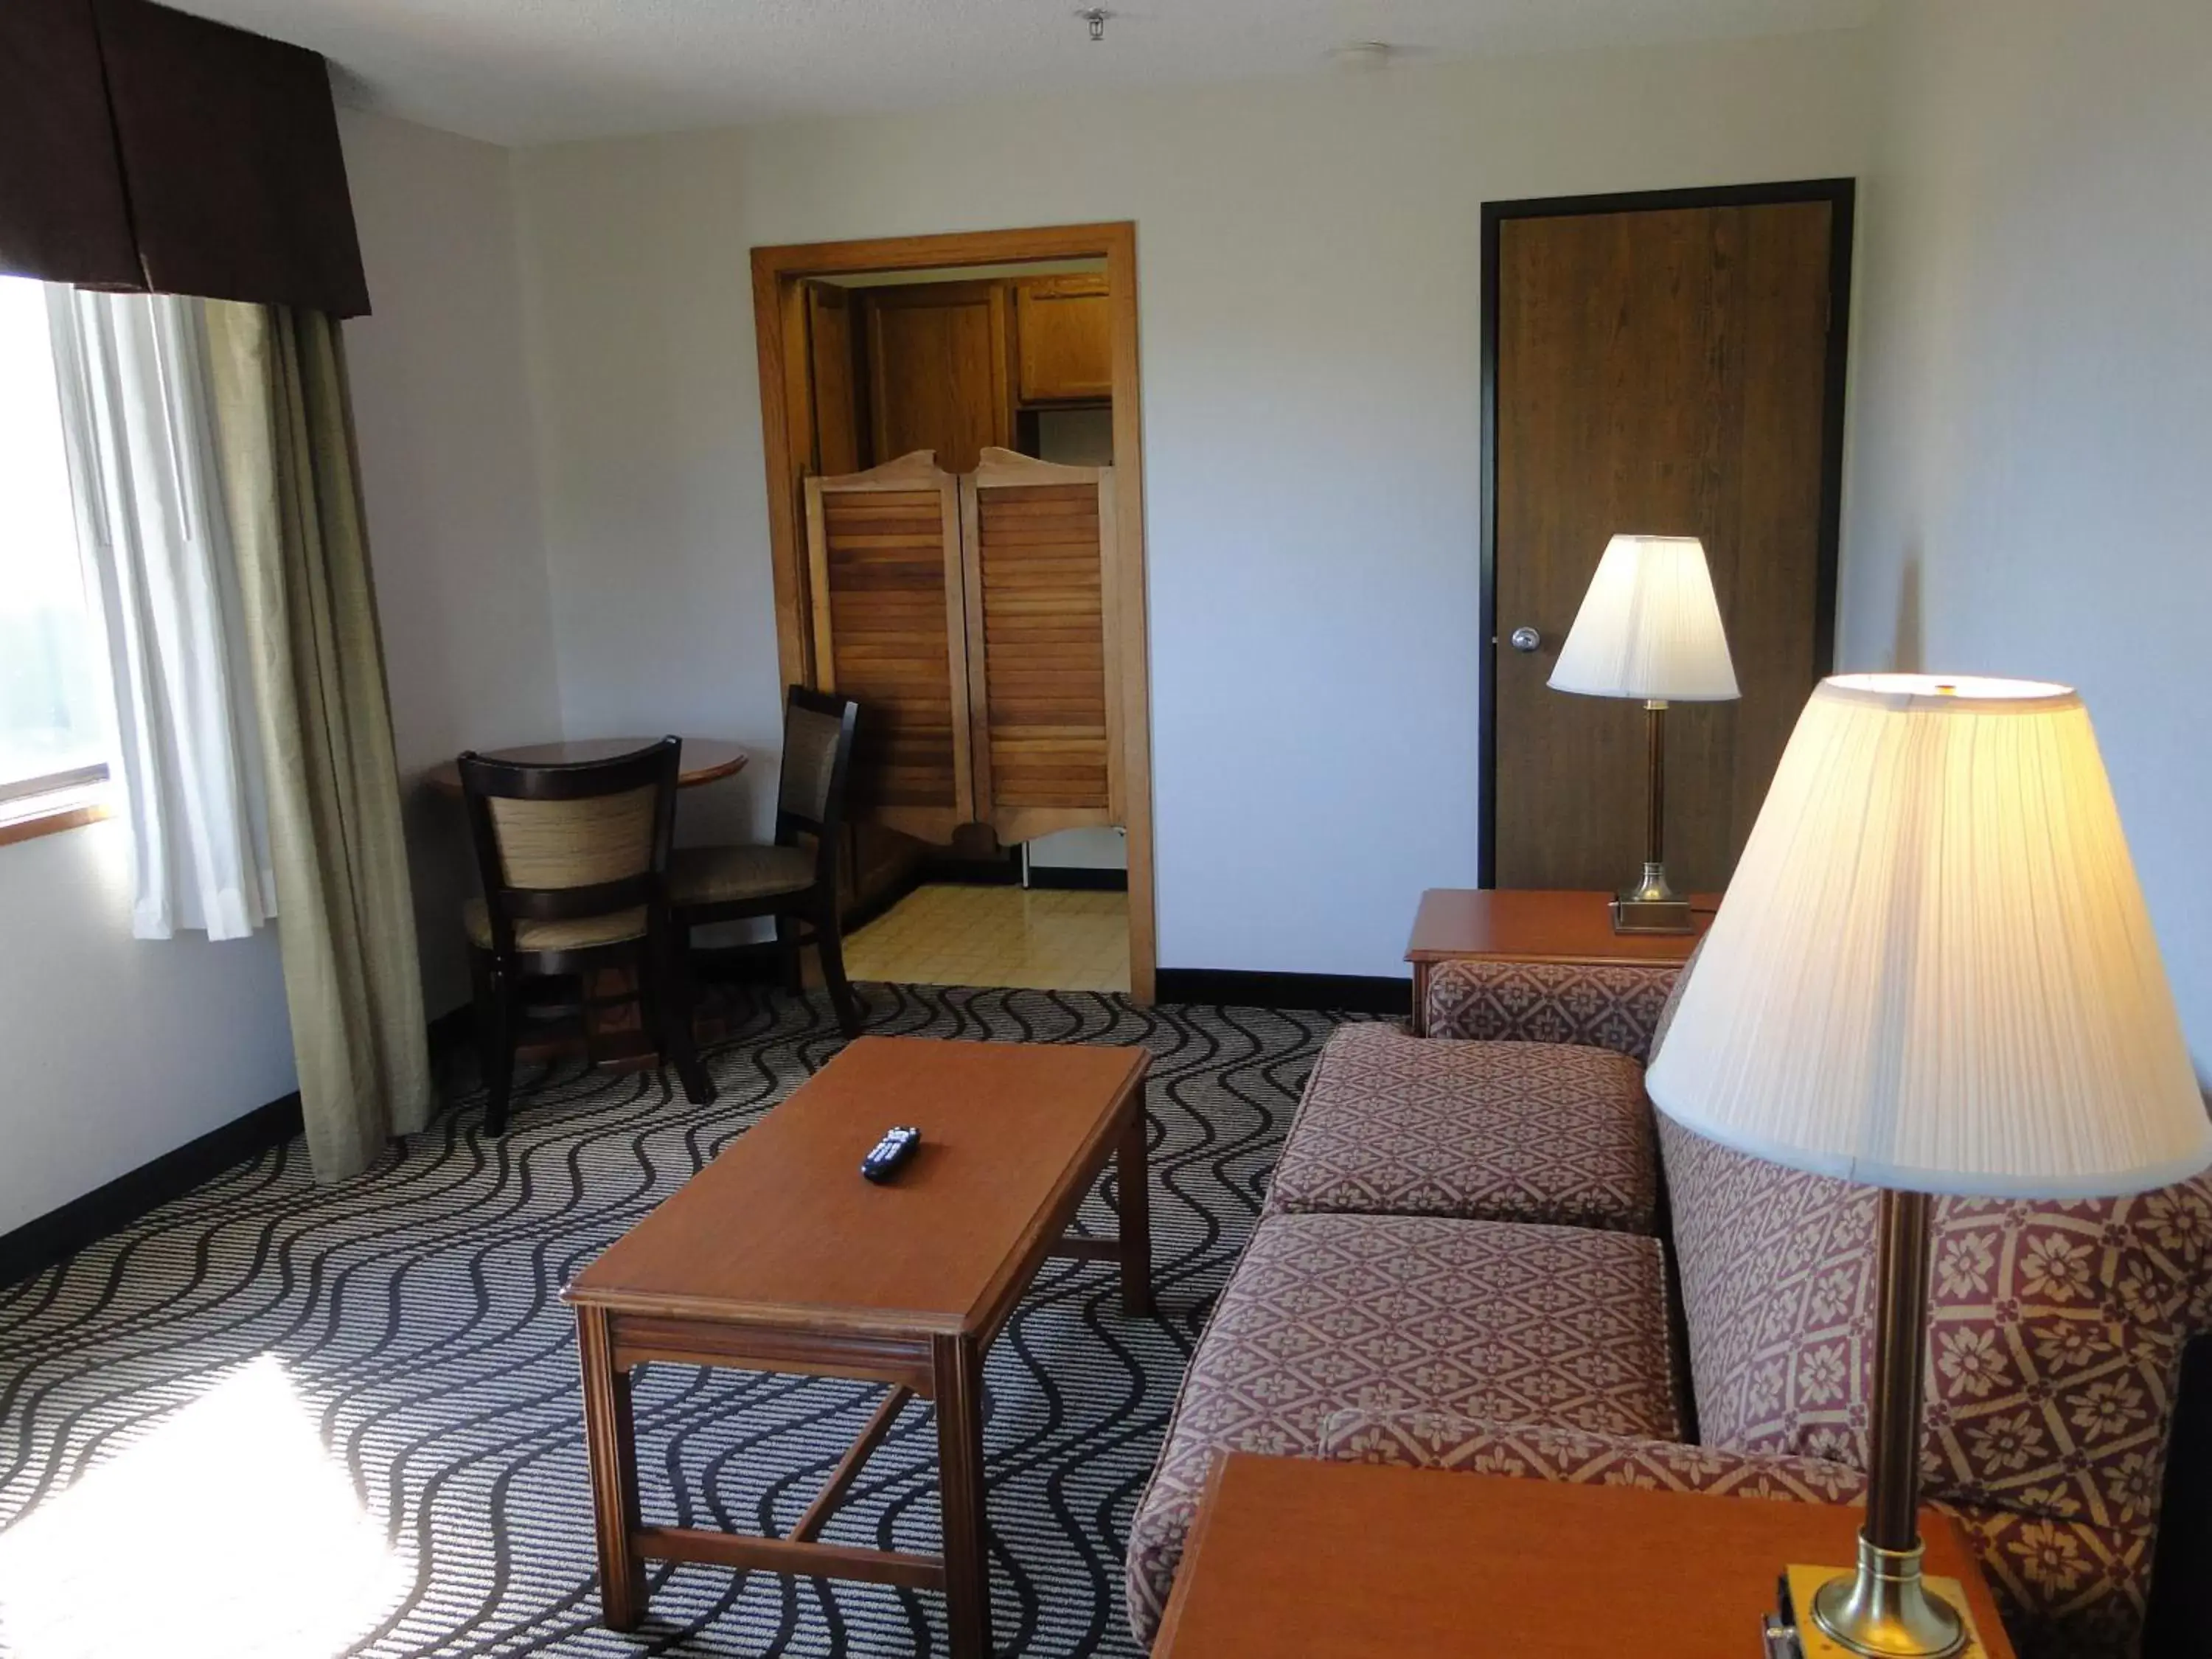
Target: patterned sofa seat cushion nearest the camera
point(1516, 1324)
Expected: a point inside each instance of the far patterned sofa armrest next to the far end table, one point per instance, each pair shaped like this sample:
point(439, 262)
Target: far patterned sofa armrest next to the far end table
point(1598, 1005)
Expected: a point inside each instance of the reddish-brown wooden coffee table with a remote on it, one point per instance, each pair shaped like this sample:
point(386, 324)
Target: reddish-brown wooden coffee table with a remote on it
point(780, 1258)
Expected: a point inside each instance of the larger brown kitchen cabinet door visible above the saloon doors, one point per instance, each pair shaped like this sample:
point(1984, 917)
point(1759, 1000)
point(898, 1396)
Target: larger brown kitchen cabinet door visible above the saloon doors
point(939, 371)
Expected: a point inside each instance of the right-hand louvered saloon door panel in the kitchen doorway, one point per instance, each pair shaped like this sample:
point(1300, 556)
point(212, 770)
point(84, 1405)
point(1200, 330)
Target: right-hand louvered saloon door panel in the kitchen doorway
point(1041, 618)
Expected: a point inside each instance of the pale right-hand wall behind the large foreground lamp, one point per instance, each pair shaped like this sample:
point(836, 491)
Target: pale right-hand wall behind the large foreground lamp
point(2036, 395)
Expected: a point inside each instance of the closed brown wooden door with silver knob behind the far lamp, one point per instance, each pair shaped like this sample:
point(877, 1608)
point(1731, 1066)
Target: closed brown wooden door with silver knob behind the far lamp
point(1658, 373)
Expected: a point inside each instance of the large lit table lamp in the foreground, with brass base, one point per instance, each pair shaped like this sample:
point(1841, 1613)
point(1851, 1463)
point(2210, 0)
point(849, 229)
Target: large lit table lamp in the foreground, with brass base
point(1932, 974)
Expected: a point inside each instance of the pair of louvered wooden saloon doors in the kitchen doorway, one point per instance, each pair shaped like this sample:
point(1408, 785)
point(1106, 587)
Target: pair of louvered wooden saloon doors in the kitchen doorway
point(977, 623)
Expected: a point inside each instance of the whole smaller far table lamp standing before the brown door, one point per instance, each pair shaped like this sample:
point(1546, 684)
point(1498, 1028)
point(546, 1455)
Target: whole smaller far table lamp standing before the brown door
point(1649, 627)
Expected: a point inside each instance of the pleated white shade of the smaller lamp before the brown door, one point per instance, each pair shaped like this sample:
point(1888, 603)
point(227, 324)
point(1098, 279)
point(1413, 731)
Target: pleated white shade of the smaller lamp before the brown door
point(1649, 627)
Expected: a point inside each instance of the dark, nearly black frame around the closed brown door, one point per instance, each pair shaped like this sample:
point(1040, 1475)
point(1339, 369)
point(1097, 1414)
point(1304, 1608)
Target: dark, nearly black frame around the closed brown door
point(1841, 198)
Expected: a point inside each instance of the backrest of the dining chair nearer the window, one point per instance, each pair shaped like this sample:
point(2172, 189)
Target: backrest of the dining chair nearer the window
point(574, 839)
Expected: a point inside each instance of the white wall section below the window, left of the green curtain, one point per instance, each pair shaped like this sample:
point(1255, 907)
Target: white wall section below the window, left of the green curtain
point(118, 1050)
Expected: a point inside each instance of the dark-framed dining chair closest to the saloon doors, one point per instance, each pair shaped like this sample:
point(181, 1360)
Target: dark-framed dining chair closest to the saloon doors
point(793, 884)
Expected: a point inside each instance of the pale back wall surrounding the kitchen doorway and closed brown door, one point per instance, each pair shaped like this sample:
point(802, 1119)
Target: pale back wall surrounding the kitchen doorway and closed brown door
point(1308, 262)
